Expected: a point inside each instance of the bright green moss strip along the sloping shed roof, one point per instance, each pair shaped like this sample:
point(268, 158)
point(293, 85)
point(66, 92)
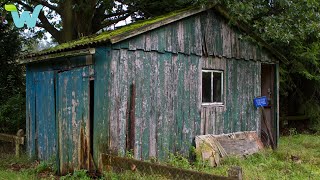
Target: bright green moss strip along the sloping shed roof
point(105, 36)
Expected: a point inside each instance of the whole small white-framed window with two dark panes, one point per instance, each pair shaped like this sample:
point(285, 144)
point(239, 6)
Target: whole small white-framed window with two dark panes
point(212, 87)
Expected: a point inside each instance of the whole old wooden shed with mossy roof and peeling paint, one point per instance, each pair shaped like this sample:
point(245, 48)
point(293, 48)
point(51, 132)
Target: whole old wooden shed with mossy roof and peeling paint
point(149, 87)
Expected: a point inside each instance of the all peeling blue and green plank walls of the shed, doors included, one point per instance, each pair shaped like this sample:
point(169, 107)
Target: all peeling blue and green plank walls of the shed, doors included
point(161, 71)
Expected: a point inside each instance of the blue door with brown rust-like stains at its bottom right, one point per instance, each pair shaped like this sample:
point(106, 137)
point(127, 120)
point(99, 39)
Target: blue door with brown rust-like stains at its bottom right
point(73, 117)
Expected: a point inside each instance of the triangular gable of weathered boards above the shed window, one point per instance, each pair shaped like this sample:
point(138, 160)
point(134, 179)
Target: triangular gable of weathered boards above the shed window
point(205, 34)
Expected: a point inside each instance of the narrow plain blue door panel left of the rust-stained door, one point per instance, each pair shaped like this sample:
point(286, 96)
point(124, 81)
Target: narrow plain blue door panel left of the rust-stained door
point(45, 115)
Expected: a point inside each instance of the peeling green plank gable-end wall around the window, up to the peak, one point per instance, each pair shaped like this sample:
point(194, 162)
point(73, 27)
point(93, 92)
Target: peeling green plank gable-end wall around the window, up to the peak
point(165, 66)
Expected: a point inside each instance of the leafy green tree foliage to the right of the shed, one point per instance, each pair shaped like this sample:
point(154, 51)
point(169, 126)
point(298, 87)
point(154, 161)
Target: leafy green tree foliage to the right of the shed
point(291, 27)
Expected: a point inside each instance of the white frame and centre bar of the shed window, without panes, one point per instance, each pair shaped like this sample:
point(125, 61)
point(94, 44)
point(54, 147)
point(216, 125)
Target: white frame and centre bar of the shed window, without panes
point(222, 87)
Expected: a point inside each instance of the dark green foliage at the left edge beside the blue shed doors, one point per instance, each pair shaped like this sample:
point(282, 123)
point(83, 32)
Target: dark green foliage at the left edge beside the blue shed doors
point(12, 100)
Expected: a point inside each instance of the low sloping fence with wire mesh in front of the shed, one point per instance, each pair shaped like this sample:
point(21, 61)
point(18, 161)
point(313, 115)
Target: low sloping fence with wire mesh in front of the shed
point(121, 163)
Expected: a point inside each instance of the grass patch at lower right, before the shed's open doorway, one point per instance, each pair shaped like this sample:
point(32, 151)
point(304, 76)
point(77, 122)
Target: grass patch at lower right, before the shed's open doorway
point(298, 157)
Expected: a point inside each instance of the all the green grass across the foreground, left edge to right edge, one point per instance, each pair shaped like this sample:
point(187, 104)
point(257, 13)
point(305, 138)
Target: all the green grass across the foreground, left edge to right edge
point(298, 157)
